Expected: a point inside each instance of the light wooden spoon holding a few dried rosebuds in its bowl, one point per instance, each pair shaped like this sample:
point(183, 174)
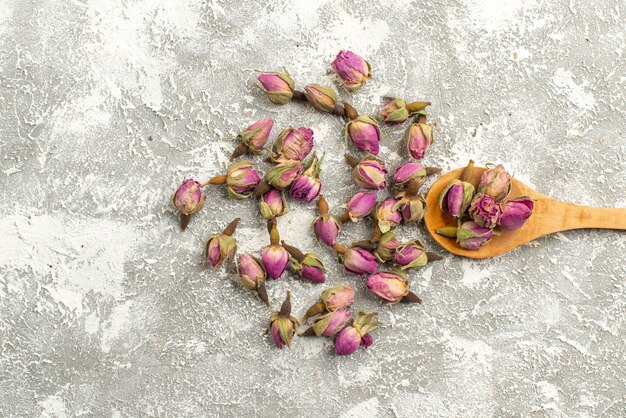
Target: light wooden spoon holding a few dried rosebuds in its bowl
point(549, 216)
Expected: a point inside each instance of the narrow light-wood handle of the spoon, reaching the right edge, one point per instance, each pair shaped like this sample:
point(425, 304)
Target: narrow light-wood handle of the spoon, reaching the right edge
point(561, 216)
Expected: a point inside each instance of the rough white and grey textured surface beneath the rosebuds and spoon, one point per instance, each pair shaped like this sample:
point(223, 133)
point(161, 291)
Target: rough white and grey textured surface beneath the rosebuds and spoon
point(104, 310)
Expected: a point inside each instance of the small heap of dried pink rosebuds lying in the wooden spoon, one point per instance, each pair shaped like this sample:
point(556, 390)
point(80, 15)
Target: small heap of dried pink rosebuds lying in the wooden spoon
point(483, 211)
